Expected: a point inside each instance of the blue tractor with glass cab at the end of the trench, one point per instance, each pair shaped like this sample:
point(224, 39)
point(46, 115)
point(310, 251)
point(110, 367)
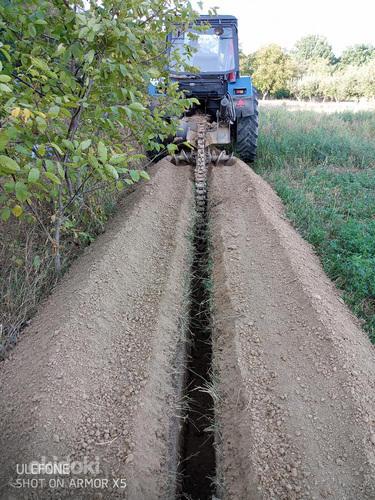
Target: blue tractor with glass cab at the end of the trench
point(227, 102)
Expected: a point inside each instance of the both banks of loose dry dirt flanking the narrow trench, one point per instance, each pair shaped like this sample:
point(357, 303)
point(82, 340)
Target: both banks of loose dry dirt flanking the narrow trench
point(94, 381)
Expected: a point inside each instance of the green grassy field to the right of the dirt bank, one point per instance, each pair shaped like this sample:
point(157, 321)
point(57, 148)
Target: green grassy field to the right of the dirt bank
point(323, 167)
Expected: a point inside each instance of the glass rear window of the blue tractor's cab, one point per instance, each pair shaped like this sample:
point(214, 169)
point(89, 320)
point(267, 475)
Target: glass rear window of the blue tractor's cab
point(213, 53)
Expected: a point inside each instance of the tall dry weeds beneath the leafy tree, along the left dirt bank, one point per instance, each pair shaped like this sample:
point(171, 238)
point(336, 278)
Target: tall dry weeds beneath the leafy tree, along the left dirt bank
point(27, 262)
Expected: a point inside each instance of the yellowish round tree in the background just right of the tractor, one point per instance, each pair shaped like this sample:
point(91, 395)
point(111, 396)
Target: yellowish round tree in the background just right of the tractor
point(273, 69)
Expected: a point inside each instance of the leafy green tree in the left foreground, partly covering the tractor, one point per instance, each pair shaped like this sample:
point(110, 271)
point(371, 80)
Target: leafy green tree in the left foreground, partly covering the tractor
point(73, 101)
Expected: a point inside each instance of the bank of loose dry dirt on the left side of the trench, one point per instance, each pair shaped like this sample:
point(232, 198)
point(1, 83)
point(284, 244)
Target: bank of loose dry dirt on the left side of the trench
point(91, 380)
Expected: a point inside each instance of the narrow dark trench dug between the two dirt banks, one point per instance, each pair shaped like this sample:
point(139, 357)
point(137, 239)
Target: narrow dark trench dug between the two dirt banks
point(197, 440)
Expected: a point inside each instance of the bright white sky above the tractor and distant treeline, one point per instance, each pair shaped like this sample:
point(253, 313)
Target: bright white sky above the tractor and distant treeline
point(284, 22)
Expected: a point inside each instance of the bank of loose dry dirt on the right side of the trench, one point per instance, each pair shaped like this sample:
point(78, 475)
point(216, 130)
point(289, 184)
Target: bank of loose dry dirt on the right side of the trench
point(296, 372)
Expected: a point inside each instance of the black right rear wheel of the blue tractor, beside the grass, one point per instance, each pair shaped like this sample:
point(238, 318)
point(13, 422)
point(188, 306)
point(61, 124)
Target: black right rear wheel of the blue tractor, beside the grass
point(247, 133)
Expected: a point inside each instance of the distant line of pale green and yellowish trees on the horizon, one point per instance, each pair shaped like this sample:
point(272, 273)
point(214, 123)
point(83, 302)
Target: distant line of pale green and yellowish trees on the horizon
point(312, 71)
